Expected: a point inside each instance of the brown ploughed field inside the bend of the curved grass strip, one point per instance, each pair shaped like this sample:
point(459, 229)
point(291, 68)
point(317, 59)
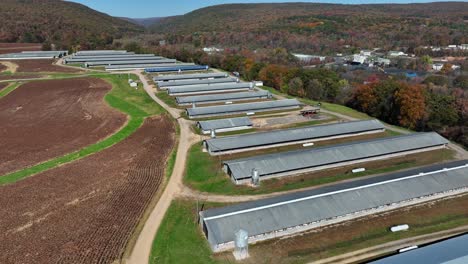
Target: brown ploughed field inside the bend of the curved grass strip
point(44, 119)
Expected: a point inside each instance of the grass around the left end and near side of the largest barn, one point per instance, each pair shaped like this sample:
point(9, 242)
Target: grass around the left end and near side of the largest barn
point(180, 240)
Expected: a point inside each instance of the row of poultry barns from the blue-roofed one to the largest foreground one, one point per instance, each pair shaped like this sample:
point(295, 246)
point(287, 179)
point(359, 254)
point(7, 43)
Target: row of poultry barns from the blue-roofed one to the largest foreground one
point(211, 96)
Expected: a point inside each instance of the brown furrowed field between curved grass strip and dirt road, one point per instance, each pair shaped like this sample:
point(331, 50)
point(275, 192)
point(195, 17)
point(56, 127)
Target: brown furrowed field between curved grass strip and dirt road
point(85, 211)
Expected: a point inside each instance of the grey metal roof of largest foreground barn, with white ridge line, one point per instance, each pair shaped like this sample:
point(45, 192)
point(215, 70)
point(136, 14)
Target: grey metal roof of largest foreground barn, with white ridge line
point(291, 210)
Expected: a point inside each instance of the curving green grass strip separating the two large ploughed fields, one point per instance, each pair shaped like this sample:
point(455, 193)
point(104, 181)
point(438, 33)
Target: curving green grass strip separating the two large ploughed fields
point(135, 103)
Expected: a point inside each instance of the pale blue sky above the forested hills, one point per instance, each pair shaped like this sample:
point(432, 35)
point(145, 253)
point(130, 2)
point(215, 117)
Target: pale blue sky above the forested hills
point(161, 8)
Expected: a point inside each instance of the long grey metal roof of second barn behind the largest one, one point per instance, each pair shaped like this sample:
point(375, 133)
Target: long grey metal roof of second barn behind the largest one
point(291, 135)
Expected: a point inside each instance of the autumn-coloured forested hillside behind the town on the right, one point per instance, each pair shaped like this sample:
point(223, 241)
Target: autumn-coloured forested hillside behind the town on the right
point(325, 28)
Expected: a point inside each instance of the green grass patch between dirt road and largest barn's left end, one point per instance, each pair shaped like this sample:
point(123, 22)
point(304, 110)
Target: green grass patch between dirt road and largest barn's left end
point(179, 240)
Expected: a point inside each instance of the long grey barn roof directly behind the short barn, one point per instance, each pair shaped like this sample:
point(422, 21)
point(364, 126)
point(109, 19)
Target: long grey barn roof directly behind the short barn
point(247, 107)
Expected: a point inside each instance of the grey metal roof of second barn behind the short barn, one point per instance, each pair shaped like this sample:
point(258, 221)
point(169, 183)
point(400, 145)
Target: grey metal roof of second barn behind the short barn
point(222, 97)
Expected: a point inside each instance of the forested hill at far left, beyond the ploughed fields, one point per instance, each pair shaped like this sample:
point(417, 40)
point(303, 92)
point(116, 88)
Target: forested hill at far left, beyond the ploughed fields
point(58, 22)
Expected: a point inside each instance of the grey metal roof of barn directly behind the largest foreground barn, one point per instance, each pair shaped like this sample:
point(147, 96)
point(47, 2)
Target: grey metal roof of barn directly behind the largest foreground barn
point(315, 157)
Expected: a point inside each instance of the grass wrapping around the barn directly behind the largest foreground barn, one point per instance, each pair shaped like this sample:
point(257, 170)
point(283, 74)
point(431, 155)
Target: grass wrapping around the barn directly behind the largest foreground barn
point(204, 172)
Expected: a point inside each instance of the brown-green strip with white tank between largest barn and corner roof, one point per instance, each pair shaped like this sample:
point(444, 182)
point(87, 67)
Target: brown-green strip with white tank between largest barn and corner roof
point(361, 233)
